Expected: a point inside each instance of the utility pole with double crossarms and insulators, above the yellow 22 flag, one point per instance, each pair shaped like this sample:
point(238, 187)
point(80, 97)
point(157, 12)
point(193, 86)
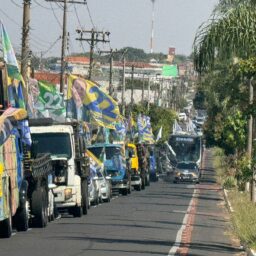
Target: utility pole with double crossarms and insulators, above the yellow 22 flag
point(96, 36)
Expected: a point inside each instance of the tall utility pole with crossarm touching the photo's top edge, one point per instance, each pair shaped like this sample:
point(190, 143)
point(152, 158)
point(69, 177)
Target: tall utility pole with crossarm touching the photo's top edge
point(64, 37)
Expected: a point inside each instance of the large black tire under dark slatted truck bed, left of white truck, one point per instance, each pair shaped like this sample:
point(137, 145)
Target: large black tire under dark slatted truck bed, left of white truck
point(39, 208)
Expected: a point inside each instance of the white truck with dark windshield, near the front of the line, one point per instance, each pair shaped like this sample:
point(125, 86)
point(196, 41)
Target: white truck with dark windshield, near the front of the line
point(70, 164)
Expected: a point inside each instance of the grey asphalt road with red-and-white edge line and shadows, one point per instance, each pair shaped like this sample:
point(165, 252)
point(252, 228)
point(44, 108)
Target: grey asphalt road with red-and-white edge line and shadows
point(143, 223)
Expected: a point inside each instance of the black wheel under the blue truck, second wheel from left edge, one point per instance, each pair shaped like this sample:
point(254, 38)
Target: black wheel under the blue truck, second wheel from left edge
point(22, 217)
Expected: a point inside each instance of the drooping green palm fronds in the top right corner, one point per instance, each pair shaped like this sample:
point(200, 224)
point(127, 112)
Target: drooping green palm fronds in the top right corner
point(230, 32)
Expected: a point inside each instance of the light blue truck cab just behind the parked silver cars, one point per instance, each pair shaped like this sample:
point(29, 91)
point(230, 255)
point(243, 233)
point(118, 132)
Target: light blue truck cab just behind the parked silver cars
point(113, 156)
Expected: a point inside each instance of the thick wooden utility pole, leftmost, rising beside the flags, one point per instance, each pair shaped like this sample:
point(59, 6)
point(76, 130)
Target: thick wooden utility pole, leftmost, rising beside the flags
point(25, 52)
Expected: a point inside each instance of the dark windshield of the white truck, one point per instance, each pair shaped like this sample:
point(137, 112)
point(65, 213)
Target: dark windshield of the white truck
point(57, 144)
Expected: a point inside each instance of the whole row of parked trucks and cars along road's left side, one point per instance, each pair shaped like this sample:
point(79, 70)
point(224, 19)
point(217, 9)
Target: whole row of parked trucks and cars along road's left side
point(60, 172)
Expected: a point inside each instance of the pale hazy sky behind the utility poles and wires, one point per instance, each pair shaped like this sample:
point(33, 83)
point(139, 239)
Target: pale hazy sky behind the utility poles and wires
point(129, 22)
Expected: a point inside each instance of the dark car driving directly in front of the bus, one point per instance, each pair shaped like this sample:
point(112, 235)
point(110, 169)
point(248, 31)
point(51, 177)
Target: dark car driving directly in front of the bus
point(187, 172)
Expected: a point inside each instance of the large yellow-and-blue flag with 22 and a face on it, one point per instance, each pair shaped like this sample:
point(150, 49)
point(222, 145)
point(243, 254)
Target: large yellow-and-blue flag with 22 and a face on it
point(85, 99)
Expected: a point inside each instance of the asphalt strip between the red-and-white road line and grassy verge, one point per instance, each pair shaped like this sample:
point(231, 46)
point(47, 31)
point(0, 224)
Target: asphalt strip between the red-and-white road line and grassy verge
point(211, 234)
